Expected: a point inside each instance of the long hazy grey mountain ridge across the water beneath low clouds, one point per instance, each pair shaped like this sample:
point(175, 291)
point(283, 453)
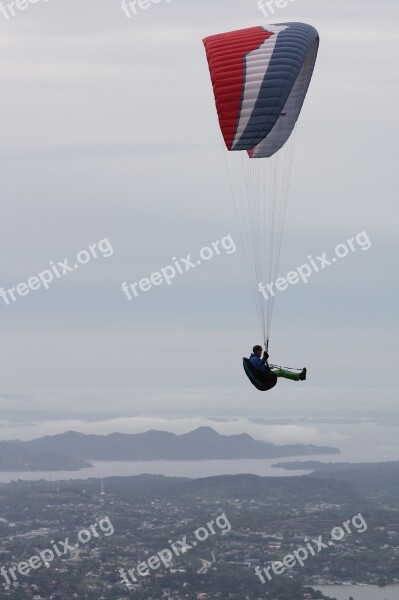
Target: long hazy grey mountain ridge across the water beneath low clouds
point(201, 444)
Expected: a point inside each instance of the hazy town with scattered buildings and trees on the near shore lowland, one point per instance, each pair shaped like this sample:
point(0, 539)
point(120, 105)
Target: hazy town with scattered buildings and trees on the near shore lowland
point(153, 537)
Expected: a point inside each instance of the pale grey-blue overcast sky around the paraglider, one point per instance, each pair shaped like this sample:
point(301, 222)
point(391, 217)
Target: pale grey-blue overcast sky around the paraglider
point(108, 131)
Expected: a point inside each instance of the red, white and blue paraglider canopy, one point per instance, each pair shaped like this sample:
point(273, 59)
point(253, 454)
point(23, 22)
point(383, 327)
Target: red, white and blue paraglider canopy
point(260, 78)
